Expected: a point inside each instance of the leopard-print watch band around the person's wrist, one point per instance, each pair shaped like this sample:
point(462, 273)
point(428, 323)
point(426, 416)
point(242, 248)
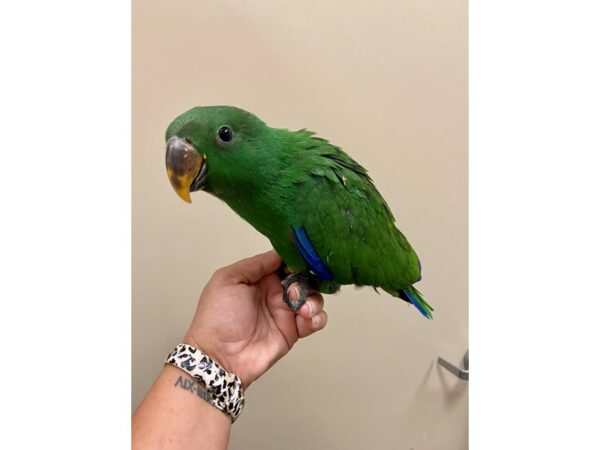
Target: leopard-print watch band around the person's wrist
point(224, 388)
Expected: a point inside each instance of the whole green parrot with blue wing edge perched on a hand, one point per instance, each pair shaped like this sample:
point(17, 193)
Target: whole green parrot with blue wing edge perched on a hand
point(317, 206)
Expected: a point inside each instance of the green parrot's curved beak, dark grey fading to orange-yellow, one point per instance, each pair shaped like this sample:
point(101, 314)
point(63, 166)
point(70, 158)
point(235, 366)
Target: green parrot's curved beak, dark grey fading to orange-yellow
point(186, 167)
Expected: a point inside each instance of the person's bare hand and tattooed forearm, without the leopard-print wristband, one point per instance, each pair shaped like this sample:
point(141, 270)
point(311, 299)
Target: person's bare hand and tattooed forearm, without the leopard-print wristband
point(240, 322)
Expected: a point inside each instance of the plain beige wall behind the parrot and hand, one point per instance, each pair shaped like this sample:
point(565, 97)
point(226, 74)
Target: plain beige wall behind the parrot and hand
point(386, 80)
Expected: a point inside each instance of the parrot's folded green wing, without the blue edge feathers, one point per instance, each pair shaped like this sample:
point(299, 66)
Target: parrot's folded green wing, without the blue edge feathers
point(348, 222)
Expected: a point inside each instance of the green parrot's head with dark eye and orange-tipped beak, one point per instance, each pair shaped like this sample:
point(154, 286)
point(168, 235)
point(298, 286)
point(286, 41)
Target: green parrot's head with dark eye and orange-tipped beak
point(212, 148)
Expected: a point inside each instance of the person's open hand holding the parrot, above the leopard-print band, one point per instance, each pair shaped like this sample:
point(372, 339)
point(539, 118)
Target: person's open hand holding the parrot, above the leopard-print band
point(242, 322)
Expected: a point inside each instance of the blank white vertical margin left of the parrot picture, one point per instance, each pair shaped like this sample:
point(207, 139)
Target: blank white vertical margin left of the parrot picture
point(65, 230)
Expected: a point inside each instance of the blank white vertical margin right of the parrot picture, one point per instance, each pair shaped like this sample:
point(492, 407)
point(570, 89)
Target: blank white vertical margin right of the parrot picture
point(534, 246)
